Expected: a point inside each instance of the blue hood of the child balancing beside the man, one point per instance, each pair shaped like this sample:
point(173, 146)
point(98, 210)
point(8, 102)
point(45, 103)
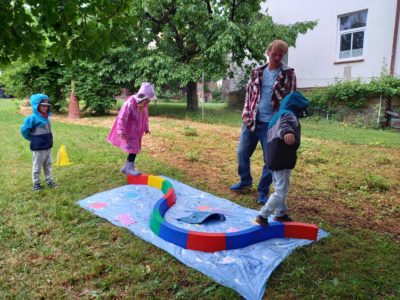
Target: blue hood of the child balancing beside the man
point(294, 103)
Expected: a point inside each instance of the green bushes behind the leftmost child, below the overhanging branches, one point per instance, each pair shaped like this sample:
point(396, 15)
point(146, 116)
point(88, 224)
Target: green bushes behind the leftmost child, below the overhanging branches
point(94, 84)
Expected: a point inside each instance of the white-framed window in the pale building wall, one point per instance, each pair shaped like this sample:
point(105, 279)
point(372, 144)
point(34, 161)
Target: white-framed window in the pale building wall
point(351, 34)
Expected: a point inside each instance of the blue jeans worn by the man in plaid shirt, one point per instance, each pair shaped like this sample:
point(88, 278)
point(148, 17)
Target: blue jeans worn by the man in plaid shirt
point(247, 144)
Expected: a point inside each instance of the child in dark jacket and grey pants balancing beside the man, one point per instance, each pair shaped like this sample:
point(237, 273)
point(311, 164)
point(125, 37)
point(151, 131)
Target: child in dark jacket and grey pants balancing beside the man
point(283, 142)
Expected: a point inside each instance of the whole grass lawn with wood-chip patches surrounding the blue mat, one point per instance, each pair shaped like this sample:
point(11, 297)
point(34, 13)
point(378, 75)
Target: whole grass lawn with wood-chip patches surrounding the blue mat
point(347, 181)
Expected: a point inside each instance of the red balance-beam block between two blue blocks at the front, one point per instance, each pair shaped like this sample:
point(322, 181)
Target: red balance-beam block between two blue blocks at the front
point(206, 241)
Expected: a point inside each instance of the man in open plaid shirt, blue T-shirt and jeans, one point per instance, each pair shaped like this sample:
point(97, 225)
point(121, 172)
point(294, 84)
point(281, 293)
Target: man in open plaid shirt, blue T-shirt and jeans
point(267, 86)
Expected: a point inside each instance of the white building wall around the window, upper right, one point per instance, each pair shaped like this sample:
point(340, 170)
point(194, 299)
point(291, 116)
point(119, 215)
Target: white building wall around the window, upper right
point(314, 57)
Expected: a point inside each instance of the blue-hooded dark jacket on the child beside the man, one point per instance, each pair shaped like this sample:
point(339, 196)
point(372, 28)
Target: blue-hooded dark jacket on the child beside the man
point(280, 155)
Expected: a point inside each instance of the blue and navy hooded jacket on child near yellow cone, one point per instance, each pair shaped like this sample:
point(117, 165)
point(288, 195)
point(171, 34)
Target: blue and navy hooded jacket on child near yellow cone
point(36, 127)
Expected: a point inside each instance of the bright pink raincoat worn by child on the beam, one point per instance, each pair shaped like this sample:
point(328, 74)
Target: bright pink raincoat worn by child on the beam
point(131, 122)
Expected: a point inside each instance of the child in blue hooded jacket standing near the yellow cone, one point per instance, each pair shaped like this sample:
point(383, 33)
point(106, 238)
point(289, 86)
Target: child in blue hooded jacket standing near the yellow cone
point(37, 130)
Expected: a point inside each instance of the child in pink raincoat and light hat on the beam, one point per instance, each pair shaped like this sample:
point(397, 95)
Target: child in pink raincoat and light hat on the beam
point(130, 125)
